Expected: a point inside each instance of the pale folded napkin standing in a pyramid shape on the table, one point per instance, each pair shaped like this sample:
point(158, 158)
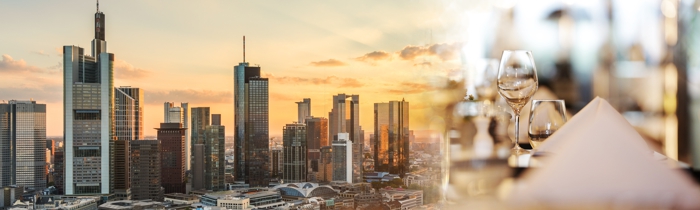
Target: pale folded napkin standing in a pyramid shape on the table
point(598, 159)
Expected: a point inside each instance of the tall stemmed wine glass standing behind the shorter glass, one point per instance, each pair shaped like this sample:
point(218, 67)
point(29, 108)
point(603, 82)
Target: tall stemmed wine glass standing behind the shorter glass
point(517, 82)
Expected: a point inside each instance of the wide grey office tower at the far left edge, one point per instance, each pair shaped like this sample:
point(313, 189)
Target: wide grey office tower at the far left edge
point(22, 144)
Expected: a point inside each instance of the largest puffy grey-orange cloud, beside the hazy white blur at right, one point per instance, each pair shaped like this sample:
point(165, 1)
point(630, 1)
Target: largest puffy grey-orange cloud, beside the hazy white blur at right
point(444, 51)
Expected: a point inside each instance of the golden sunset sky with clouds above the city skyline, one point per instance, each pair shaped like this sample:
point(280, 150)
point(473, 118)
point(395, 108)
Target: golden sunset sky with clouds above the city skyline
point(184, 51)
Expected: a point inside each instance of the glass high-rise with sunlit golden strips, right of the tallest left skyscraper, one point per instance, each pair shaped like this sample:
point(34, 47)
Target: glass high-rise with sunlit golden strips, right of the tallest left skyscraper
point(128, 113)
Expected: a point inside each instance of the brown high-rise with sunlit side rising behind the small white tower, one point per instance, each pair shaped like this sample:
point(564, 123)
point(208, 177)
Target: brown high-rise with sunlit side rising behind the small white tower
point(345, 118)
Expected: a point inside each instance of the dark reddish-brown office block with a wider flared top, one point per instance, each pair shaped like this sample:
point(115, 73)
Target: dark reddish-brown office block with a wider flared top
point(172, 142)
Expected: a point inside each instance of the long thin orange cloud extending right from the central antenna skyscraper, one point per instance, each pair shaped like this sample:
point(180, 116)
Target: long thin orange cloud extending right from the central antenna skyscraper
point(330, 80)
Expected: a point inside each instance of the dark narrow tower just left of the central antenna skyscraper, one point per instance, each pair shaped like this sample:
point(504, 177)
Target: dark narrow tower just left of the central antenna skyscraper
point(214, 157)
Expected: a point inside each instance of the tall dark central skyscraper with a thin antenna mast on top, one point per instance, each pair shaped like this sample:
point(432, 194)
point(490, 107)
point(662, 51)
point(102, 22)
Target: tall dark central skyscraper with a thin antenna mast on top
point(251, 132)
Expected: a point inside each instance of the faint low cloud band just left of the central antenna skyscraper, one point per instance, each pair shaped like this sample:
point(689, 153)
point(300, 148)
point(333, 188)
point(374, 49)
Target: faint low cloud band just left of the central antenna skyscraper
point(189, 95)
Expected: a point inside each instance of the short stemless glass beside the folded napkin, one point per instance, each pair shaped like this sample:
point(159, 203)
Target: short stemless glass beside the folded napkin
point(546, 117)
